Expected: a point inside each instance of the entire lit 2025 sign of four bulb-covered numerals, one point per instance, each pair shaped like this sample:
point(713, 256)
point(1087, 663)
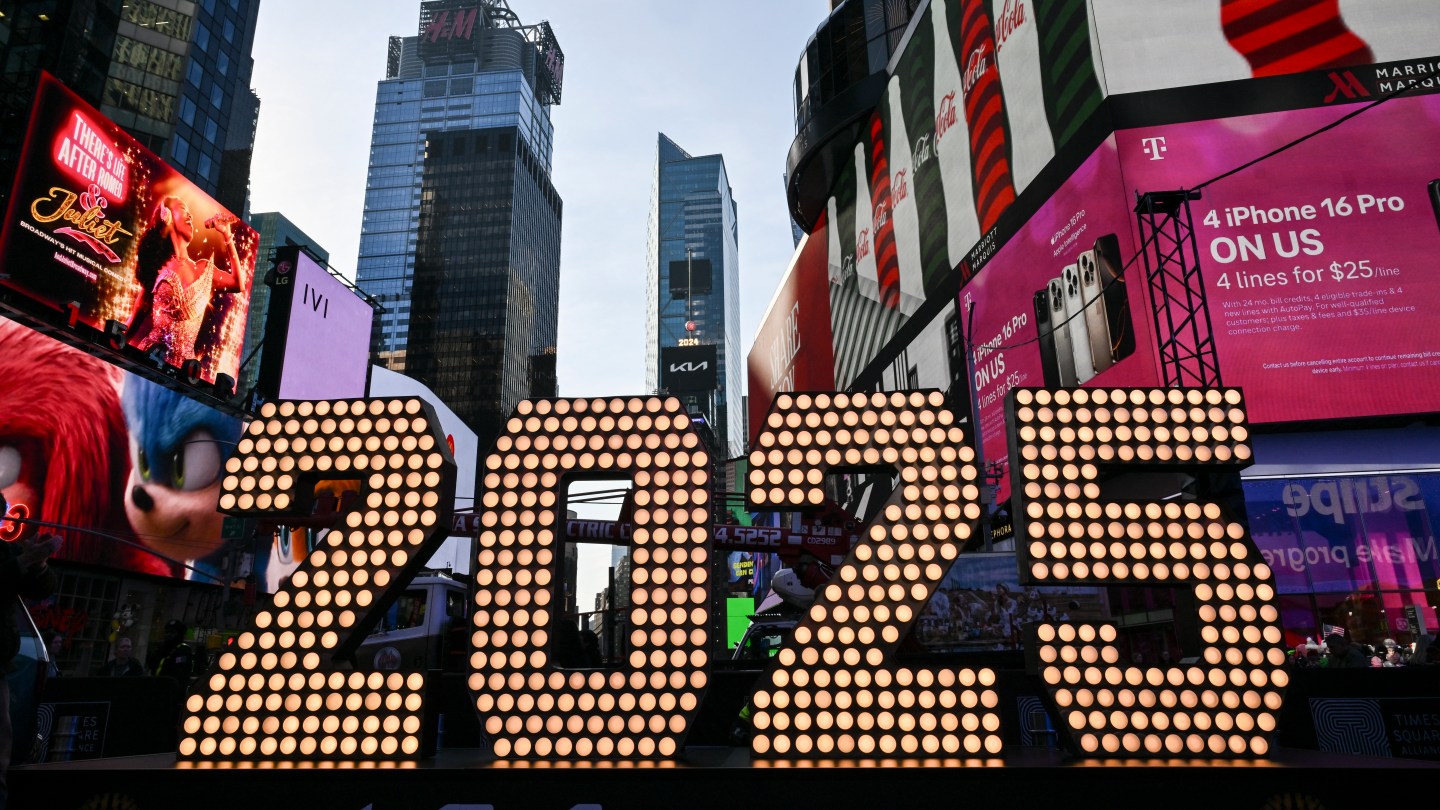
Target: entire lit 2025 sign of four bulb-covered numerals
point(836, 690)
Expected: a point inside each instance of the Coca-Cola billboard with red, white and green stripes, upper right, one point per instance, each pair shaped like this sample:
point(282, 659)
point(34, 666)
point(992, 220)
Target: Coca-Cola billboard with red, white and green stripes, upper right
point(986, 99)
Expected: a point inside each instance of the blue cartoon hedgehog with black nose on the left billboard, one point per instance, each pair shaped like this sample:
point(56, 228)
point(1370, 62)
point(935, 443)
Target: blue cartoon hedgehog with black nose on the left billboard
point(178, 450)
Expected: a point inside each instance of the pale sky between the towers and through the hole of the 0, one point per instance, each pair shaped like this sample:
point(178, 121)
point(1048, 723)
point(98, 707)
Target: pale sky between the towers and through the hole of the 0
point(714, 77)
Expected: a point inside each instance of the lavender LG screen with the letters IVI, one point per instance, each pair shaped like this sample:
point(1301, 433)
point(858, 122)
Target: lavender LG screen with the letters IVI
point(319, 334)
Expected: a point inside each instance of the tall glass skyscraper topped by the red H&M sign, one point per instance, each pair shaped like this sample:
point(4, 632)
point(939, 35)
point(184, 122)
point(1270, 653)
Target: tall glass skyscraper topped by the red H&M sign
point(462, 234)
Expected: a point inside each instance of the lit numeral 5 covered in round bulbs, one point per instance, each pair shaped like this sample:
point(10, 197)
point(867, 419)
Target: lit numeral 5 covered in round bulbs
point(1225, 706)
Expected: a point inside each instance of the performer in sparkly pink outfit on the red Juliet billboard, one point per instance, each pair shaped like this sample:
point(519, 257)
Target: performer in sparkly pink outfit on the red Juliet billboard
point(184, 288)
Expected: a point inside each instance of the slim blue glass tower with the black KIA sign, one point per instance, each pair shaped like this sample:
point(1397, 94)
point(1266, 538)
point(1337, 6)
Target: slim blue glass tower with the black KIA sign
point(693, 290)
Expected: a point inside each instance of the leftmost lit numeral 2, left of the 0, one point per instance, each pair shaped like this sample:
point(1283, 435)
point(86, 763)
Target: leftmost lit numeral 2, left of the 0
point(274, 695)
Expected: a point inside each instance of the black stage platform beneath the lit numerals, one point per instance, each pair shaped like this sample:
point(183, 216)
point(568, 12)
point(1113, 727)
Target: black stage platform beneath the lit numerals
point(726, 779)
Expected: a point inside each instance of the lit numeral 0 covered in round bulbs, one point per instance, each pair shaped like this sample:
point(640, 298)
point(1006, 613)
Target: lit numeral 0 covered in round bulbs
point(532, 710)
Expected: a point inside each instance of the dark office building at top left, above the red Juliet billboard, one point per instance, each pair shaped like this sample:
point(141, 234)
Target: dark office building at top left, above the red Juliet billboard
point(175, 76)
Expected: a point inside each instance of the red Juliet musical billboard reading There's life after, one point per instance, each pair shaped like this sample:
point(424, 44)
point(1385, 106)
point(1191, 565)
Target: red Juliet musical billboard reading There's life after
point(103, 236)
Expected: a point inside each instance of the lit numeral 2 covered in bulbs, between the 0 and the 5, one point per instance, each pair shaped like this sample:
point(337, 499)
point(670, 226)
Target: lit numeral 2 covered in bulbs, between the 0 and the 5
point(832, 693)
